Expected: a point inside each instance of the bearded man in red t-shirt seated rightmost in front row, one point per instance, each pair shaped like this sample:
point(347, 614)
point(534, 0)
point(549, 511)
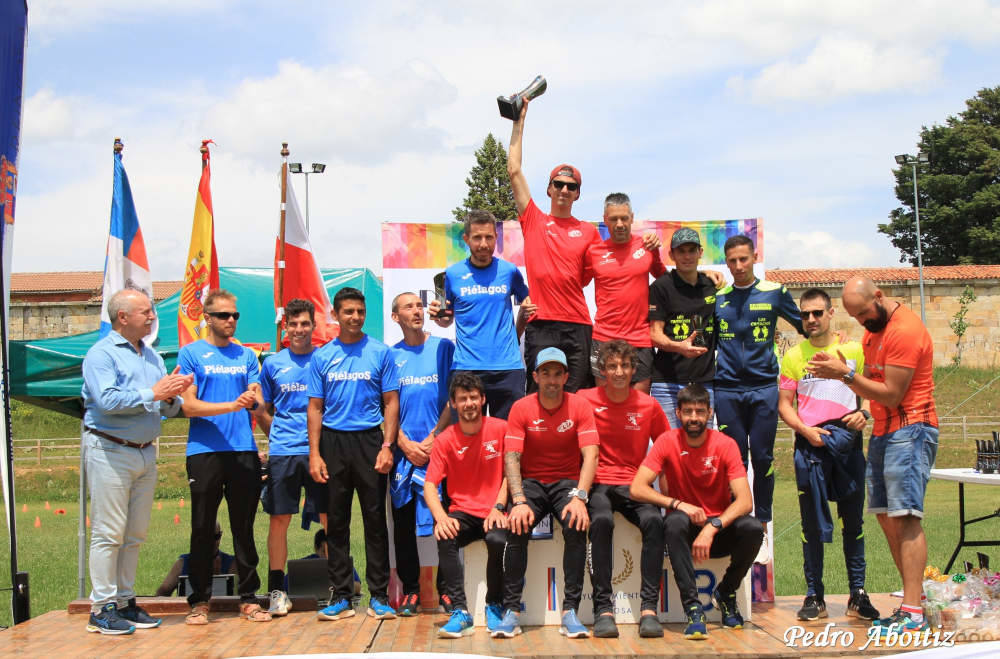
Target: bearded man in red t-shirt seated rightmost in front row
point(707, 499)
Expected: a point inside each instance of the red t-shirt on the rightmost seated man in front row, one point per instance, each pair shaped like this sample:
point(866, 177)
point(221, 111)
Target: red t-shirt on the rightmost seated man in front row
point(698, 476)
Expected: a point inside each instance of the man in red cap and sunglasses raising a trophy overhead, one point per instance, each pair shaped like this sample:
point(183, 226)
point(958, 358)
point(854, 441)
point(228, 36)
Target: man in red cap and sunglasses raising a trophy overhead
point(555, 244)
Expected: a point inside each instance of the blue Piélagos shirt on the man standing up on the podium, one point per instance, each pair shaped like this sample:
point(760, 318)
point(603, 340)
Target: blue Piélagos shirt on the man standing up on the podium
point(484, 319)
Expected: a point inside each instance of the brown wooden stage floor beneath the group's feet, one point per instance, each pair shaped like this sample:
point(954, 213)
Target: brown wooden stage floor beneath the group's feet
point(59, 633)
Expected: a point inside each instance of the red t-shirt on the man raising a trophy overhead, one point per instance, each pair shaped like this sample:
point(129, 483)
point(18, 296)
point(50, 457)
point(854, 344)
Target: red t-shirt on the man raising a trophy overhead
point(554, 249)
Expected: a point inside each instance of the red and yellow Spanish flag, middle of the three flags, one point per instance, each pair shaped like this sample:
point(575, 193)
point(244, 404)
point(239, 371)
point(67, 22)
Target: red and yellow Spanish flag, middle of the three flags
point(201, 272)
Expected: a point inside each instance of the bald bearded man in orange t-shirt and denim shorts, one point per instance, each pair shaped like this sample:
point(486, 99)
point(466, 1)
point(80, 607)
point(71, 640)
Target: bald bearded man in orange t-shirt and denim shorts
point(898, 379)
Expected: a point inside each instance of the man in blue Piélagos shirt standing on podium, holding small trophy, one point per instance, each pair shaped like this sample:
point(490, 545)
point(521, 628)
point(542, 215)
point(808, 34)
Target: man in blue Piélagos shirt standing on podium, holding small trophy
point(478, 291)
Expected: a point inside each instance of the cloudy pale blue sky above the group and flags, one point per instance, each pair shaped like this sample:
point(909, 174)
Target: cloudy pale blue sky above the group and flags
point(789, 111)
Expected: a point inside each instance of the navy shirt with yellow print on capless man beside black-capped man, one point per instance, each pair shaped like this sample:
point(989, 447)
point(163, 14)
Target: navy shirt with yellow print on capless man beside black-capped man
point(745, 323)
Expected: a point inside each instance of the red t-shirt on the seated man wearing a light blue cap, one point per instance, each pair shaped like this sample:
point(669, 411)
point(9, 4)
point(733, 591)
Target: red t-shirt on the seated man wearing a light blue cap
point(549, 441)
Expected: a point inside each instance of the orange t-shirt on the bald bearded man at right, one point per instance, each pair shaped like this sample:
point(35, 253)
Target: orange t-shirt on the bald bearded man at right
point(904, 342)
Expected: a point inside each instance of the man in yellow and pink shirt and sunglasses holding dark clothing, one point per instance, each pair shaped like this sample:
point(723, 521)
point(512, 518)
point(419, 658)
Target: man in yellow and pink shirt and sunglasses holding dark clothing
point(828, 423)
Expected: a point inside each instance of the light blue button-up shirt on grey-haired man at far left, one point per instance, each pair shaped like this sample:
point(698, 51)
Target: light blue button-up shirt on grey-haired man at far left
point(118, 390)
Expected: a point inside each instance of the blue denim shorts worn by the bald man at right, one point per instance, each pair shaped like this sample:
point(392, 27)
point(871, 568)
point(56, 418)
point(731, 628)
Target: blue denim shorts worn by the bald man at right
point(899, 465)
